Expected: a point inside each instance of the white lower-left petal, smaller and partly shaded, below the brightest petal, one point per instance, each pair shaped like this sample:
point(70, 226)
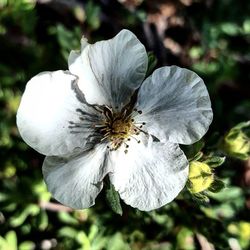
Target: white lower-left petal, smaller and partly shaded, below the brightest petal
point(77, 181)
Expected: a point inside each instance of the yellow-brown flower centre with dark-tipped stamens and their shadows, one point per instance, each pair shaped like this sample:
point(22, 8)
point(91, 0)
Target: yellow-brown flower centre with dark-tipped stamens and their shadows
point(117, 128)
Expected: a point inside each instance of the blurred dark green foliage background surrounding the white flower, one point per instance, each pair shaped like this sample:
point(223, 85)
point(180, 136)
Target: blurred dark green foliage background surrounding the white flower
point(209, 37)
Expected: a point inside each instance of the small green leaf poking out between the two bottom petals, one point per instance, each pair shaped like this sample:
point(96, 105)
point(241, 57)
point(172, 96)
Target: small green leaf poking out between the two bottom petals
point(113, 199)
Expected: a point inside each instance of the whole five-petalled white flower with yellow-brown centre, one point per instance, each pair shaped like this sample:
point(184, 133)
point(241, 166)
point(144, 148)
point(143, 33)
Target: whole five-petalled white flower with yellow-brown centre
point(100, 118)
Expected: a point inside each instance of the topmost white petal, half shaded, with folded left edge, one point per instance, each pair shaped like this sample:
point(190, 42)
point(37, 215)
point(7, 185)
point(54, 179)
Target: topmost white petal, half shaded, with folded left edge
point(109, 71)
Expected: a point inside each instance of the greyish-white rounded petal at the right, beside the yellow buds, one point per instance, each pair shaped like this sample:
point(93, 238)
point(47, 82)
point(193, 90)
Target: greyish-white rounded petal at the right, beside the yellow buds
point(175, 105)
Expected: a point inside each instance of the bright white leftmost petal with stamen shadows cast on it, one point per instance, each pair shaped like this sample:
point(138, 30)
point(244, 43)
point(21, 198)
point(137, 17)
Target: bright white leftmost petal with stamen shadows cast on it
point(48, 106)
